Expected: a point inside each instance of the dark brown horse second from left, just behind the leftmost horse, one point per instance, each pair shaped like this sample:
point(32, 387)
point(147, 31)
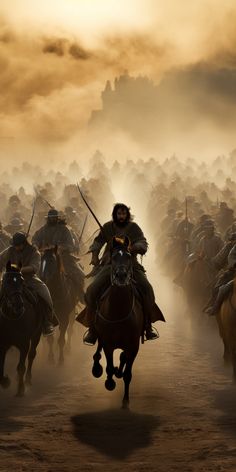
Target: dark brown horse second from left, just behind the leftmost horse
point(63, 296)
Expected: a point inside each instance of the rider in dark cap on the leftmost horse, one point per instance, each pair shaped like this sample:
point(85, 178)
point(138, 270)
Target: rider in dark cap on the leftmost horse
point(26, 256)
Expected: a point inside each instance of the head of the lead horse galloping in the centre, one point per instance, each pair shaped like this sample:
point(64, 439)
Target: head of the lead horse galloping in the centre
point(121, 262)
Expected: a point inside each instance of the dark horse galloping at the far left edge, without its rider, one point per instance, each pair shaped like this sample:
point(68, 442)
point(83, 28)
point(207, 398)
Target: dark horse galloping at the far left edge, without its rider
point(20, 326)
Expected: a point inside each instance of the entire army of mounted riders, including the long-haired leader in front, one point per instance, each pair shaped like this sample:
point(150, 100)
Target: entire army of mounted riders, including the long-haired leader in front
point(48, 233)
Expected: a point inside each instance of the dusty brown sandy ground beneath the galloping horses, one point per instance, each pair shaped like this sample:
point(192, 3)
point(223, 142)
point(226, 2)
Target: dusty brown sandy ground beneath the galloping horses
point(182, 415)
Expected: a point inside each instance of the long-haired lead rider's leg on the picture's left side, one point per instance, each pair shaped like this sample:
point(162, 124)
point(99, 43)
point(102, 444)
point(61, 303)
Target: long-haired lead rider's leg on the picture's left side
point(92, 296)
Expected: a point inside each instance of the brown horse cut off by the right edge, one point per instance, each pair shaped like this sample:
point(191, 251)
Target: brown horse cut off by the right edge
point(226, 319)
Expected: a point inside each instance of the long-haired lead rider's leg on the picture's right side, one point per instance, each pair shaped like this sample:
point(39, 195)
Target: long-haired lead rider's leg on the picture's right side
point(148, 301)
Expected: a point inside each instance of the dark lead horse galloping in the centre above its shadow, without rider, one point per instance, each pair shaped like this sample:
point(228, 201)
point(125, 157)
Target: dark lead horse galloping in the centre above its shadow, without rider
point(119, 321)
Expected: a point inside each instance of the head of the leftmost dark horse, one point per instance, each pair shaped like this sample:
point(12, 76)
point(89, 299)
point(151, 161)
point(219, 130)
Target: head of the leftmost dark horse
point(12, 302)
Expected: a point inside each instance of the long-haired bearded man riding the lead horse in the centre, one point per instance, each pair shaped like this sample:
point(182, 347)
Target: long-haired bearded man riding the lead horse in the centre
point(120, 226)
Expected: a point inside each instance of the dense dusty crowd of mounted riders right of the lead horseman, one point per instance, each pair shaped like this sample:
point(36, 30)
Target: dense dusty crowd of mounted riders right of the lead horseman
point(196, 240)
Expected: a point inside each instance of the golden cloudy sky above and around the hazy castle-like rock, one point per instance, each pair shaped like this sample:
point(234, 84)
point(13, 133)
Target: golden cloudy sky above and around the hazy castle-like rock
point(48, 89)
